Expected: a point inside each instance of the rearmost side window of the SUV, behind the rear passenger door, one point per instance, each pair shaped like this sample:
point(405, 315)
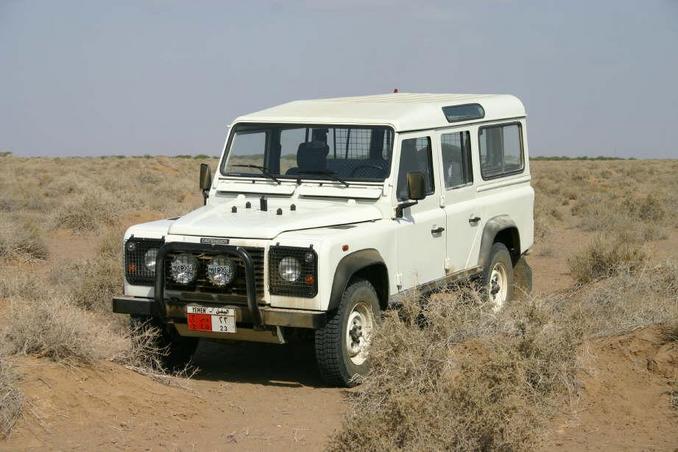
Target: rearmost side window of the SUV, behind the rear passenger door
point(501, 150)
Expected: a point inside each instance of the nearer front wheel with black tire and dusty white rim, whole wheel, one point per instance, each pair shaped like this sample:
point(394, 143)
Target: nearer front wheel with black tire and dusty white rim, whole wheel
point(342, 345)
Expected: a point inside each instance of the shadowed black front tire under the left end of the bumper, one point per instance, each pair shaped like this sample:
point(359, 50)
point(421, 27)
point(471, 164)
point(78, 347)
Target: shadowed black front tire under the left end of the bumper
point(176, 350)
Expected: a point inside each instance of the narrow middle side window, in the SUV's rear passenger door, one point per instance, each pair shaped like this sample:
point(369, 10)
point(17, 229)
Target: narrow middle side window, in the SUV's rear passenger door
point(456, 148)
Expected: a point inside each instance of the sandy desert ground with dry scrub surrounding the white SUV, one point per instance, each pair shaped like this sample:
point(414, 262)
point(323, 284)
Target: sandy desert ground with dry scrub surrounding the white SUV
point(588, 361)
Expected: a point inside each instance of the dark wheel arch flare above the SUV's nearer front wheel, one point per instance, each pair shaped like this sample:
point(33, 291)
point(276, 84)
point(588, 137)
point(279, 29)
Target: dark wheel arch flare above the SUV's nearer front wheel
point(367, 264)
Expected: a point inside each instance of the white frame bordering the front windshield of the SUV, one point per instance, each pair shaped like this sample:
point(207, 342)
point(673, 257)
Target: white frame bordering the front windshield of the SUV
point(306, 177)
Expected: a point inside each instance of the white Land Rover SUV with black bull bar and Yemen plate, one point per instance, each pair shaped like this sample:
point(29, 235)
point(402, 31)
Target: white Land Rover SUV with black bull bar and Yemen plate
point(323, 212)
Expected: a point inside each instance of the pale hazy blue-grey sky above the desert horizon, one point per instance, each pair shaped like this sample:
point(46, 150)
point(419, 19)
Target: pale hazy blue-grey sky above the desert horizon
point(166, 77)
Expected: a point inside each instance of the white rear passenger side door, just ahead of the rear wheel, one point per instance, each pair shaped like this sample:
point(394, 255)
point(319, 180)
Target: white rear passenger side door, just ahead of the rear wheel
point(459, 199)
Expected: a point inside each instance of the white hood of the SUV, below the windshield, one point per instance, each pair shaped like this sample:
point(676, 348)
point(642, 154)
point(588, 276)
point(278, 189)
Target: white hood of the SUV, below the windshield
point(219, 220)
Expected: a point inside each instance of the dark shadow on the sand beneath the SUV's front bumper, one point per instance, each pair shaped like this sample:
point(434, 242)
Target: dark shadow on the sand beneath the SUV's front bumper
point(288, 365)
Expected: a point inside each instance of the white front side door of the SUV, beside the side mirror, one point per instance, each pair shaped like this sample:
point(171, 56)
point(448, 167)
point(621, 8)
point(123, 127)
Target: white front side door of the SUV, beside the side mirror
point(420, 232)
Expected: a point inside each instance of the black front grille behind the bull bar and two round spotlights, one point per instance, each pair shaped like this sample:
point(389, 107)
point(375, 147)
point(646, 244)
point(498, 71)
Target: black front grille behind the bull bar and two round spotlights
point(238, 287)
